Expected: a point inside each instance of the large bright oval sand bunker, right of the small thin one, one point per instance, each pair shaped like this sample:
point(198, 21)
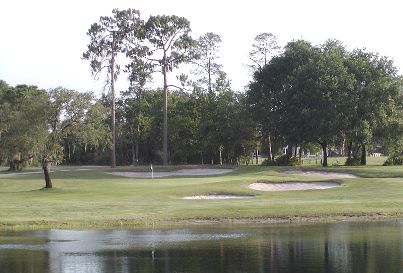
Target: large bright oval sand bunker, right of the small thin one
point(293, 186)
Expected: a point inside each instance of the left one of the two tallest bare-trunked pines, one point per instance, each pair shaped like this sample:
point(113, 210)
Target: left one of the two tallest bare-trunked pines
point(107, 40)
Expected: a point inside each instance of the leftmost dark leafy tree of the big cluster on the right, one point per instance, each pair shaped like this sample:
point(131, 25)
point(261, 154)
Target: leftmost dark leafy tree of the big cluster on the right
point(273, 98)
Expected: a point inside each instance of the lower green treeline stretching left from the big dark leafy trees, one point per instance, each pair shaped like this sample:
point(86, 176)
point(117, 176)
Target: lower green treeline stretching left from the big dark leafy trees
point(62, 125)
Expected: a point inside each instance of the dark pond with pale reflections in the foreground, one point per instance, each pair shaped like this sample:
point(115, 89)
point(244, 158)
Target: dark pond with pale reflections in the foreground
point(306, 248)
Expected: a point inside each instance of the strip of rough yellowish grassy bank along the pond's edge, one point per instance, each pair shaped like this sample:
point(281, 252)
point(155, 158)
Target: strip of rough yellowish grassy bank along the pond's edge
point(155, 224)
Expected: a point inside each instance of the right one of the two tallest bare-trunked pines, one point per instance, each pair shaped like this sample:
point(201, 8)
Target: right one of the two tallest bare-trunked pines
point(170, 45)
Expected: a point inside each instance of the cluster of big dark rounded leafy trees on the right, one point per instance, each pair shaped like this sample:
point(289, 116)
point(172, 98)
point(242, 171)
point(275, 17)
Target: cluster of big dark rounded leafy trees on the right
point(329, 96)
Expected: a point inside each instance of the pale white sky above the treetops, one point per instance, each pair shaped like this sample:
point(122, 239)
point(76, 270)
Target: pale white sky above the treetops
point(42, 41)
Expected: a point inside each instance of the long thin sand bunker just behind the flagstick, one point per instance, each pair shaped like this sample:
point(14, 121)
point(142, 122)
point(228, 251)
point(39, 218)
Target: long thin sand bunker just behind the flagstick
point(183, 172)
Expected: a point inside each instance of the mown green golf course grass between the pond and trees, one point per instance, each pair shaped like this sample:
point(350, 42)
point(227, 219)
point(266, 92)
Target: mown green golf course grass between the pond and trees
point(93, 198)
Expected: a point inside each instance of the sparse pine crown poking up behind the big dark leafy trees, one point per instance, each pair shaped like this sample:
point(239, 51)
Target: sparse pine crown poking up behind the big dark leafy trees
point(264, 45)
